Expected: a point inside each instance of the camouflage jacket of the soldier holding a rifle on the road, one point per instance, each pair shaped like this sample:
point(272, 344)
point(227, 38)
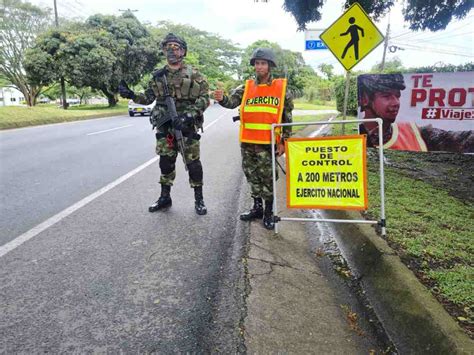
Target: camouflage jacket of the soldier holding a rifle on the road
point(189, 90)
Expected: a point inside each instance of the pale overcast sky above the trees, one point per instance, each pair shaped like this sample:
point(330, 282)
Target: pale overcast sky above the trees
point(245, 21)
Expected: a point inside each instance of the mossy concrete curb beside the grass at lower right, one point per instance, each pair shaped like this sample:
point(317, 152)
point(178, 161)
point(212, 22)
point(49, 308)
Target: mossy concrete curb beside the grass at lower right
point(414, 320)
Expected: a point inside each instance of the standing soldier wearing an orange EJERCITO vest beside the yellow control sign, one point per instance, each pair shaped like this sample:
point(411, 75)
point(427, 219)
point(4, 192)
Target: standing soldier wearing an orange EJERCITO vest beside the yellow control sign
point(263, 100)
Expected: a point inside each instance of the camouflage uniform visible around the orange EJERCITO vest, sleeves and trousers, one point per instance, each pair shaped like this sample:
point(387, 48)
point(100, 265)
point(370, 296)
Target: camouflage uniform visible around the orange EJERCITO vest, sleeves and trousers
point(257, 158)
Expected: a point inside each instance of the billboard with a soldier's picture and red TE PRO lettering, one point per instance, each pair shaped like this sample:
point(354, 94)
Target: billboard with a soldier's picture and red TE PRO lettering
point(420, 111)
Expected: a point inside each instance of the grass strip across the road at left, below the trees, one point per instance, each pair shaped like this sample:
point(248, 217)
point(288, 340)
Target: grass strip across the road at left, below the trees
point(21, 116)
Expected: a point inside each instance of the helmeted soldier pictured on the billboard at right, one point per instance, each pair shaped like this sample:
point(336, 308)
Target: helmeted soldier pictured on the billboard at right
point(379, 97)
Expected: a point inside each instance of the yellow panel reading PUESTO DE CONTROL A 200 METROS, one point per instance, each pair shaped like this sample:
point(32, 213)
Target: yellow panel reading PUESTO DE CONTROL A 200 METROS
point(327, 172)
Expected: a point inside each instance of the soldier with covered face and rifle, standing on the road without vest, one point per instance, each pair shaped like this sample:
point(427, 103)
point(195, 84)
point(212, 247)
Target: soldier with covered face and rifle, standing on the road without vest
point(189, 90)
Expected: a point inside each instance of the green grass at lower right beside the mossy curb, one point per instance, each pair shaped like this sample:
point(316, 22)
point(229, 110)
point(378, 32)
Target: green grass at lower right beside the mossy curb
point(431, 230)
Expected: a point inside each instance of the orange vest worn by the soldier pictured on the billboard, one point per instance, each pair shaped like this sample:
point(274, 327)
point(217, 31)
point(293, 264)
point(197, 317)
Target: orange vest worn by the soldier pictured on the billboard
point(406, 136)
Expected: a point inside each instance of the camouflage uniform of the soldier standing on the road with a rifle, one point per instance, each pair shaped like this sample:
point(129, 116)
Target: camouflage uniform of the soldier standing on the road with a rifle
point(191, 94)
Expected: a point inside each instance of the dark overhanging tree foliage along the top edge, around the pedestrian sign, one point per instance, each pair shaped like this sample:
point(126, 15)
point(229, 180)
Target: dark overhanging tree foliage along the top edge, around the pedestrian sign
point(421, 15)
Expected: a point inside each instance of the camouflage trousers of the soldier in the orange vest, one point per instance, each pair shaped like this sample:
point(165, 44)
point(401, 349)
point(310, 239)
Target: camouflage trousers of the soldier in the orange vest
point(257, 166)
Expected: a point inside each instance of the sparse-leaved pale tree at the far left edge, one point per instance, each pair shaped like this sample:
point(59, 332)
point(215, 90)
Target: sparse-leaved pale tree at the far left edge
point(20, 23)
